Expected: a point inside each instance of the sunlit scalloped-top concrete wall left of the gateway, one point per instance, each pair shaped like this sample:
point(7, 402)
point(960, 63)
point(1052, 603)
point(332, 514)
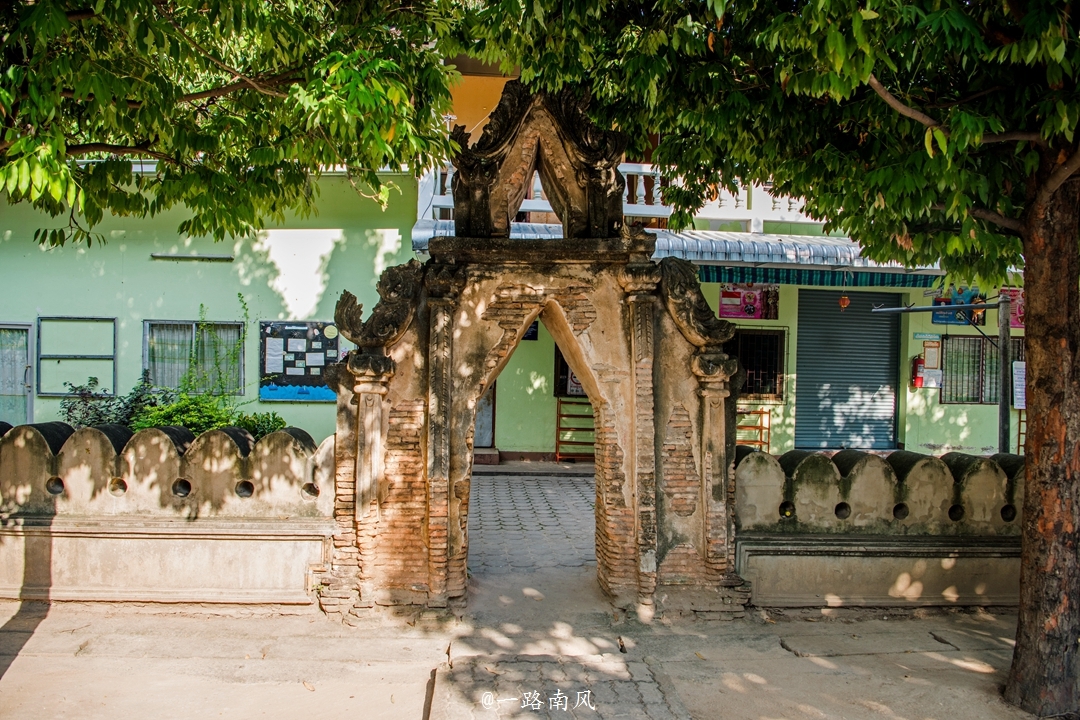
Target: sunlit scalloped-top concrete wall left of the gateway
point(163, 517)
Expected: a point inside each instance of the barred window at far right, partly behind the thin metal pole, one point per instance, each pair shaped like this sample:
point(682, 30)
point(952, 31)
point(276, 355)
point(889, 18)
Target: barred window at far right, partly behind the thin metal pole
point(970, 371)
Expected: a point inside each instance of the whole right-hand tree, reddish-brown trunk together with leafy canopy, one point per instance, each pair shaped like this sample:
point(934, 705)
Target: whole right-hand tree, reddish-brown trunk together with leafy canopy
point(929, 131)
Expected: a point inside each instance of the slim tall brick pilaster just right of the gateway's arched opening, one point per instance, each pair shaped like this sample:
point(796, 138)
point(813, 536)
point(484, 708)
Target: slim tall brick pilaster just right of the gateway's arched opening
point(640, 282)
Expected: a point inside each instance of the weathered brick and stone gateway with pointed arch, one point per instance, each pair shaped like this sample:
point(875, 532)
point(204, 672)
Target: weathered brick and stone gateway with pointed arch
point(639, 335)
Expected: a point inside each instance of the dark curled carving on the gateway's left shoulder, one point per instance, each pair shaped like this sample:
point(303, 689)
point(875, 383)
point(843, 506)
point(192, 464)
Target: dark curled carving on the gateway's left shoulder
point(399, 292)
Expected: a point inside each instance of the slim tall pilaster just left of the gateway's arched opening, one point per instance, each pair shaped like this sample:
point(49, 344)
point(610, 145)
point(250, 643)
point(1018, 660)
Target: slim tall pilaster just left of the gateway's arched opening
point(439, 446)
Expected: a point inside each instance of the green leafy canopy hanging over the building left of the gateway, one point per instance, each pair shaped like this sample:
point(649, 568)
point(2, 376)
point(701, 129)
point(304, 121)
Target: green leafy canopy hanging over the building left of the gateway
point(232, 108)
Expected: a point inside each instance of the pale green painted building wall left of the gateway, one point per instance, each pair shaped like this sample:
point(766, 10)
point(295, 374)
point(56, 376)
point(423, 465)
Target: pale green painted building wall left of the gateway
point(295, 271)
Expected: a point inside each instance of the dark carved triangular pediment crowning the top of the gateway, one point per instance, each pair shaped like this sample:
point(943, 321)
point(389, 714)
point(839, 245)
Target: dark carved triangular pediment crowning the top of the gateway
point(577, 161)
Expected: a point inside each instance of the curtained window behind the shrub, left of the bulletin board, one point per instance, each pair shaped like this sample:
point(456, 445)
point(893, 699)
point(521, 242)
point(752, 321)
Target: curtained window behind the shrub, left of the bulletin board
point(200, 357)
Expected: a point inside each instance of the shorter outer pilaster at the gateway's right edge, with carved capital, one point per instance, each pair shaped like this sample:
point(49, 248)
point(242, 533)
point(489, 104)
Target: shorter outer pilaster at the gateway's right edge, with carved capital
point(713, 371)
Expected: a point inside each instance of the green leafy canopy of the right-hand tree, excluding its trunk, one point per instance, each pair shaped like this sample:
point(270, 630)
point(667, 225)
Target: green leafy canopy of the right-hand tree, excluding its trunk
point(913, 127)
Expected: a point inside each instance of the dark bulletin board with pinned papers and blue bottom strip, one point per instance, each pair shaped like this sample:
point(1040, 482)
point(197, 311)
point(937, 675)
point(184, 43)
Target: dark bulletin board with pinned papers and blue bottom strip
point(293, 357)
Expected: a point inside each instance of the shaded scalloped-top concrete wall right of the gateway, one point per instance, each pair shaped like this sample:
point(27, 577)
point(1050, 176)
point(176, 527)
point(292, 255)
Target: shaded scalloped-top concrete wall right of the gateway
point(860, 529)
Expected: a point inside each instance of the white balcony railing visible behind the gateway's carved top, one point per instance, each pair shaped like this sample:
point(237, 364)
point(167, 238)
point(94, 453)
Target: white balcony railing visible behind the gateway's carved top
point(750, 207)
